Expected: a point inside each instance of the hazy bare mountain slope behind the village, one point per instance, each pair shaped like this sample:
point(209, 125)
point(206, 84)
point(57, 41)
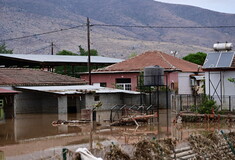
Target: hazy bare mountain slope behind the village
point(28, 17)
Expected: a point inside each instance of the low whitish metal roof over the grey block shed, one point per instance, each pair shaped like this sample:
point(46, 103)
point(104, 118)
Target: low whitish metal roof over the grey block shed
point(76, 89)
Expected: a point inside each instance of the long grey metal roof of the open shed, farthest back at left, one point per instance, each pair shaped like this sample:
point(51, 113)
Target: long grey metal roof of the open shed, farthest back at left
point(62, 58)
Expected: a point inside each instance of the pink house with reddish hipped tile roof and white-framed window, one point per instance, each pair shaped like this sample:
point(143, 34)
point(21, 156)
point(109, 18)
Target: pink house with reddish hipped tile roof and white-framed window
point(125, 74)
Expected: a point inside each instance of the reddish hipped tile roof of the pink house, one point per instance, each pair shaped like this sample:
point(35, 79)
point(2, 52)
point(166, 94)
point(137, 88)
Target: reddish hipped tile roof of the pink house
point(152, 58)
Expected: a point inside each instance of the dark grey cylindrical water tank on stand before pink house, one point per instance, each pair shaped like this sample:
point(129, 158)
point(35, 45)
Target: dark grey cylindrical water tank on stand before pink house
point(153, 76)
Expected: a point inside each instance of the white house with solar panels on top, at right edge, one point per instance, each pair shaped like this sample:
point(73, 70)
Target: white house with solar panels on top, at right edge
point(219, 70)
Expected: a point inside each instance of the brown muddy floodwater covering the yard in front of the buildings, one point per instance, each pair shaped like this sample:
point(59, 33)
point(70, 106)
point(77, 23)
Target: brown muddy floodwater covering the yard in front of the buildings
point(28, 133)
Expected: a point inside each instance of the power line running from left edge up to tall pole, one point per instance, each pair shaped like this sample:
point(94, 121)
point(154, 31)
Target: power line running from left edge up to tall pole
point(39, 34)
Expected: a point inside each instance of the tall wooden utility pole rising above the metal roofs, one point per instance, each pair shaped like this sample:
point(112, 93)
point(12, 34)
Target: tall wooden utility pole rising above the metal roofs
point(89, 50)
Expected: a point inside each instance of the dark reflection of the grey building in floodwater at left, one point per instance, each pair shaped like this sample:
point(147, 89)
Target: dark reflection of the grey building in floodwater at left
point(28, 126)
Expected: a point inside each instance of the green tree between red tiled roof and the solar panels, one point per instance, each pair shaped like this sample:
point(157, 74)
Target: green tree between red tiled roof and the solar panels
point(197, 58)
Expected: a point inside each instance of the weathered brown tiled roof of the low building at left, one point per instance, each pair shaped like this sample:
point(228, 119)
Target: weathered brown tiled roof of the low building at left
point(33, 77)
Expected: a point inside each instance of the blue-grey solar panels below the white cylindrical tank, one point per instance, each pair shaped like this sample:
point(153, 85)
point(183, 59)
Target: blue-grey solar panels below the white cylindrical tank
point(219, 60)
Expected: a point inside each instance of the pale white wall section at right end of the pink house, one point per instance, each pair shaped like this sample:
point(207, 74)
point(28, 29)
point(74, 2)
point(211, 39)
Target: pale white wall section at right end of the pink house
point(184, 86)
